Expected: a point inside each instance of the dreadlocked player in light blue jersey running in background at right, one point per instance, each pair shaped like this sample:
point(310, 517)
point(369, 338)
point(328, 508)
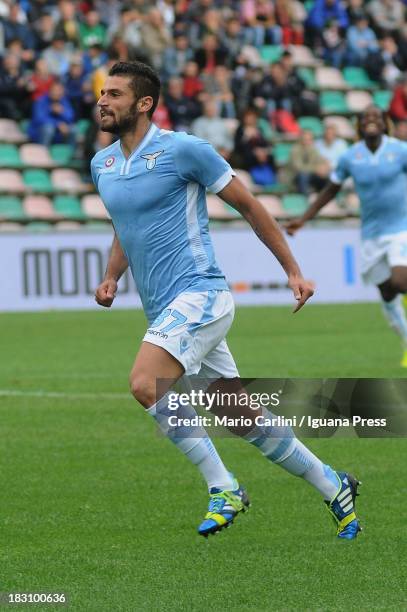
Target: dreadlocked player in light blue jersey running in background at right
point(378, 166)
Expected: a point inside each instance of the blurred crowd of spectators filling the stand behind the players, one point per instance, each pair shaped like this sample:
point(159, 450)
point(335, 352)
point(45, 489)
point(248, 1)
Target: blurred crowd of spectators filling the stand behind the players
point(55, 55)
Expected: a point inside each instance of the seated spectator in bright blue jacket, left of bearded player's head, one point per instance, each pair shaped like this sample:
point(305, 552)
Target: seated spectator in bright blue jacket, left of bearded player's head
point(53, 118)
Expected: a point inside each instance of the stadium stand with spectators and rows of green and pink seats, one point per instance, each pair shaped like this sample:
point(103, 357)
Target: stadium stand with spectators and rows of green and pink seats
point(282, 67)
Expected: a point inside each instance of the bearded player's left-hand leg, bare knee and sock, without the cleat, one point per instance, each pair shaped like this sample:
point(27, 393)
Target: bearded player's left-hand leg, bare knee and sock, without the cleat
point(152, 375)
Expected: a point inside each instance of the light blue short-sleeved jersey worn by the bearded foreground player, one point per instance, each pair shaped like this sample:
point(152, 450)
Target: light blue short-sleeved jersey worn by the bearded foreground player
point(157, 202)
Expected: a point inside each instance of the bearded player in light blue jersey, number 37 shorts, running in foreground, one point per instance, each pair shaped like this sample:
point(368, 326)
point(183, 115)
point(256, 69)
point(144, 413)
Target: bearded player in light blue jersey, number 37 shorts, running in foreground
point(153, 183)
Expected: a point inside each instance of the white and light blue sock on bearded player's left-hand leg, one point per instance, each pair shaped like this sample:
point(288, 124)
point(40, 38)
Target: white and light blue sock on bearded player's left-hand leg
point(193, 442)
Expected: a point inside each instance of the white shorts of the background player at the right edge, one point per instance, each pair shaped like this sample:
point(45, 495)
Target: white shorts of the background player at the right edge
point(381, 254)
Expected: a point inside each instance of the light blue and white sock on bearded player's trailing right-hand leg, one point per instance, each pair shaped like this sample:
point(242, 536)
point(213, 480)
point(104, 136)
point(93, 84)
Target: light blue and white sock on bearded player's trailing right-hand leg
point(279, 445)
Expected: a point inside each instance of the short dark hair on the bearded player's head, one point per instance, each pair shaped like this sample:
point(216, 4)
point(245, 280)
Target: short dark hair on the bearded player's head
point(144, 80)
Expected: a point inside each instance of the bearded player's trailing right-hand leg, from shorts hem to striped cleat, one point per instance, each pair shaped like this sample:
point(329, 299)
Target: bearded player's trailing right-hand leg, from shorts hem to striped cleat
point(279, 443)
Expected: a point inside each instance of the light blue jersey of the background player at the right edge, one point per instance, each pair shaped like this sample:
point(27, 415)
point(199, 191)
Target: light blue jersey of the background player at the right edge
point(380, 182)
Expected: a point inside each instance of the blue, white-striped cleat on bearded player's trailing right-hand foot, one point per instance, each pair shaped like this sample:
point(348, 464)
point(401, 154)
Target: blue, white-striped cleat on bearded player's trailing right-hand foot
point(342, 507)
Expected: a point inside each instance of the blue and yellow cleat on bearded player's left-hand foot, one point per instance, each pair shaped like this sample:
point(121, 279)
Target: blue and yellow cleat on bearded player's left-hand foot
point(223, 507)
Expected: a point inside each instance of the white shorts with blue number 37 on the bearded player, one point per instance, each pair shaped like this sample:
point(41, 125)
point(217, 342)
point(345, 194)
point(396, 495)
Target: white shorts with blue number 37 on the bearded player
point(193, 328)
